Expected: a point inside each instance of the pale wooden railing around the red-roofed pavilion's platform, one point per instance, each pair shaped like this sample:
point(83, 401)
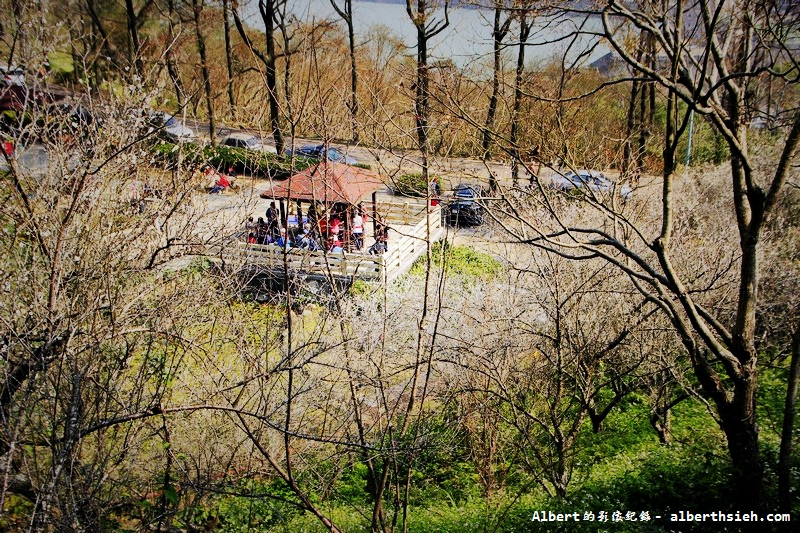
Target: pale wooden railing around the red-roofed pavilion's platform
point(410, 222)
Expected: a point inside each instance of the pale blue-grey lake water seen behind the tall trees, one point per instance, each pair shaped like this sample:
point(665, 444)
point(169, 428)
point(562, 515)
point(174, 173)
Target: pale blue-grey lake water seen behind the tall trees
point(466, 41)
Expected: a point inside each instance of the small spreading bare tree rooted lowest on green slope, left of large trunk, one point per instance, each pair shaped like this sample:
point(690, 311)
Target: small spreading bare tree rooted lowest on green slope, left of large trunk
point(564, 366)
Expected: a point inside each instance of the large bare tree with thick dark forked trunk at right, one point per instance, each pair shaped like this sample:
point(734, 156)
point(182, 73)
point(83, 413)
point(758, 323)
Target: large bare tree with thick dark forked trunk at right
point(711, 56)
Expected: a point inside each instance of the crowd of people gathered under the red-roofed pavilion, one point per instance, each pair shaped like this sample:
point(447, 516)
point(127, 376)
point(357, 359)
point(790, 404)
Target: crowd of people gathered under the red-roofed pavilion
point(334, 232)
